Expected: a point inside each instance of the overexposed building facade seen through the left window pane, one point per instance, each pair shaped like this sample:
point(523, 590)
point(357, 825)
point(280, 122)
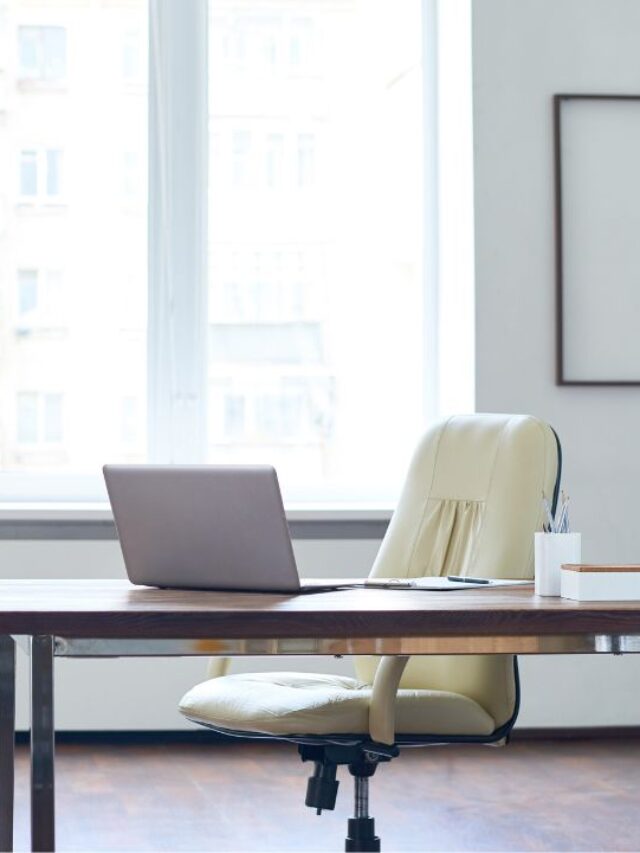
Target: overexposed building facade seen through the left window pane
point(73, 256)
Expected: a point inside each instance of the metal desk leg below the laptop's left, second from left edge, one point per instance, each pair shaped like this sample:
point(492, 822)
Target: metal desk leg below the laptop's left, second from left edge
point(42, 745)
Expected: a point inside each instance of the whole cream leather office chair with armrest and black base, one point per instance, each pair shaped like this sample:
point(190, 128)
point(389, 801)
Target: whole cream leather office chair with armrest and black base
point(470, 505)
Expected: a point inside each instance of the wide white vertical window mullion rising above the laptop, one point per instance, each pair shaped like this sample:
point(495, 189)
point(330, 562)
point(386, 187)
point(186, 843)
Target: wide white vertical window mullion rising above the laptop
point(177, 305)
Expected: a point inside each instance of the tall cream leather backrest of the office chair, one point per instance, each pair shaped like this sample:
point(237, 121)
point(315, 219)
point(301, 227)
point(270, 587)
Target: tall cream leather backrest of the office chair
point(471, 503)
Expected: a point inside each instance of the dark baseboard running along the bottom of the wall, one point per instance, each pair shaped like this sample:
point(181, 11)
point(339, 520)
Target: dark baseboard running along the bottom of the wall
point(208, 736)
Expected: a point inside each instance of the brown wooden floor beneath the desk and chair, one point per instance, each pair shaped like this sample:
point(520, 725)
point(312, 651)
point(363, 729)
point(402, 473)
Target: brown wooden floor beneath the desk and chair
point(535, 795)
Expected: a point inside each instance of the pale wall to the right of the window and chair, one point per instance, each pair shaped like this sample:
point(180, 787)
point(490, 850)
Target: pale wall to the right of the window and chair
point(524, 52)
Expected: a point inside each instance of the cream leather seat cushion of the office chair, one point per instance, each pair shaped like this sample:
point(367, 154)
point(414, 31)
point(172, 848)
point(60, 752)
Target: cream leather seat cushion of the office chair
point(293, 703)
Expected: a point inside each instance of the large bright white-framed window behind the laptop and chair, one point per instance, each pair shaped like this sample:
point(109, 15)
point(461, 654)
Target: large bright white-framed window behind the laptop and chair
point(231, 260)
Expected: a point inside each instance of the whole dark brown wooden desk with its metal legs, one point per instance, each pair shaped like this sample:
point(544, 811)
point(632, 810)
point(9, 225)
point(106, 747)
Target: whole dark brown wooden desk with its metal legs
point(112, 618)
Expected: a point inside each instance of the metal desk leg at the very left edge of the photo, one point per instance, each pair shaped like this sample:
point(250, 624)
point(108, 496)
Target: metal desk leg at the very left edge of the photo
point(7, 738)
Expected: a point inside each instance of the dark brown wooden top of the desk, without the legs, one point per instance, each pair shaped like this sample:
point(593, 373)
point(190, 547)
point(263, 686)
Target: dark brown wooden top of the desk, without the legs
point(116, 608)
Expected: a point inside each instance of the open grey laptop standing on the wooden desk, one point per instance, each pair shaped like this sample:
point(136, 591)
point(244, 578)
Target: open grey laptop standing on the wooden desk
point(204, 527)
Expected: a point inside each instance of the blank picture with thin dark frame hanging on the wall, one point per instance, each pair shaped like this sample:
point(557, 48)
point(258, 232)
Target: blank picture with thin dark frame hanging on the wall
point(597, 207)
